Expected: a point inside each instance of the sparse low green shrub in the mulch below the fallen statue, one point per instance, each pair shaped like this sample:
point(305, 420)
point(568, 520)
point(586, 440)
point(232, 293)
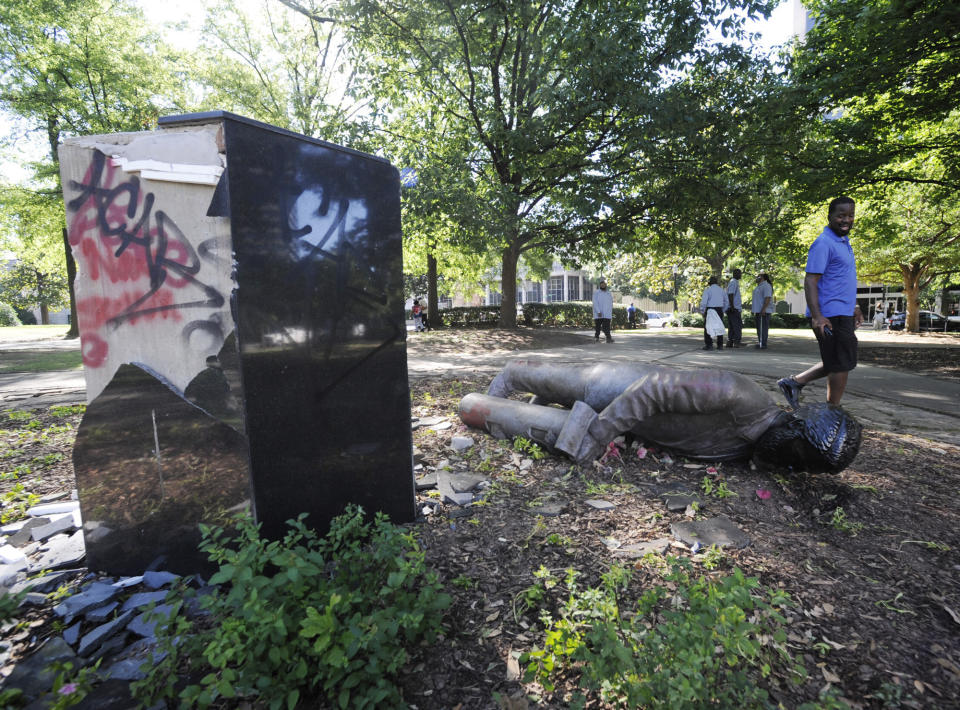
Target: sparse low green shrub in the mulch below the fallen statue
point(696, 644)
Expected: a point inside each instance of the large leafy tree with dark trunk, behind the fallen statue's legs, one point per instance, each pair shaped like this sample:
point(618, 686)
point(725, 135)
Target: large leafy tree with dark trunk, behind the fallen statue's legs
point(559, 99)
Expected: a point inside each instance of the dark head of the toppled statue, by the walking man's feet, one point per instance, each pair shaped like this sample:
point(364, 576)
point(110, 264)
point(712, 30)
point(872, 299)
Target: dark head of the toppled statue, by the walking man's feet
point(817, 438)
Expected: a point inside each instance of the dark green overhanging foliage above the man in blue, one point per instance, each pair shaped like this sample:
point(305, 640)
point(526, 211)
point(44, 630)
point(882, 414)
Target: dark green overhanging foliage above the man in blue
point(867, 77)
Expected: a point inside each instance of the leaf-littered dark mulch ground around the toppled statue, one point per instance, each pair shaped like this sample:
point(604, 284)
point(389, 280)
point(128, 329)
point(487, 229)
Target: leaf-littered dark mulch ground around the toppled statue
point(868, 556)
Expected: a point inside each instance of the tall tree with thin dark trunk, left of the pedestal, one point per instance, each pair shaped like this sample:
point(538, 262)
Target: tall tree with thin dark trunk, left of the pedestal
point(70, 67)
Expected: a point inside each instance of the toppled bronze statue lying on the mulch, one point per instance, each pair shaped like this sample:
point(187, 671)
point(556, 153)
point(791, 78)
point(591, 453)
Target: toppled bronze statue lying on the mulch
point(711, 415)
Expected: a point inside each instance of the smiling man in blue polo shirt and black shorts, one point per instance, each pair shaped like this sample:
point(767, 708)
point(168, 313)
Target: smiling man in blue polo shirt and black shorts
point(830, 287)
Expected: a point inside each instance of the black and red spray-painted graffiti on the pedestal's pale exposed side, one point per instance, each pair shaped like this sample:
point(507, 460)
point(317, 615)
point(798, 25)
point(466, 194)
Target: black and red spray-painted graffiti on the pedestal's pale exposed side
point(140, 269)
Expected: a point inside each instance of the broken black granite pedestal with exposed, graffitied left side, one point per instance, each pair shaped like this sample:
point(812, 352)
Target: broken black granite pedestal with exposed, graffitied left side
point(257, 348)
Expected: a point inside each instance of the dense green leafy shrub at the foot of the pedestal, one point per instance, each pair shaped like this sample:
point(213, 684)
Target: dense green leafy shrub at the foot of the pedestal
point(302, 618)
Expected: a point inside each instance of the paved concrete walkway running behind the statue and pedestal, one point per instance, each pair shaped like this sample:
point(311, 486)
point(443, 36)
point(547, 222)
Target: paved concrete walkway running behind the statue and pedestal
point(881, 397)
